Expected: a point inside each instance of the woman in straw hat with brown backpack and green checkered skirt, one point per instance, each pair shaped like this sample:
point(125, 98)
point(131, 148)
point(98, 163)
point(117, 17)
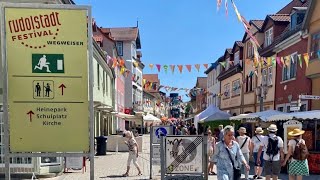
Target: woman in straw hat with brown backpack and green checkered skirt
point(298, 152)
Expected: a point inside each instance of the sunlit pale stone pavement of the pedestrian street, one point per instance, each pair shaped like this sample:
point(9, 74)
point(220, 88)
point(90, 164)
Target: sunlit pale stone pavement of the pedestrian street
point(113, 165)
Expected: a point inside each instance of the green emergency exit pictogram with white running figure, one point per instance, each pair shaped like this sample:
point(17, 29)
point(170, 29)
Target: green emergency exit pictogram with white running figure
point(47, 63)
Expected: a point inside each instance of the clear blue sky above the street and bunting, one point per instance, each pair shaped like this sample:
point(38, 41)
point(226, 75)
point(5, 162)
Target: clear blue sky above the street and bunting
point(181, 31)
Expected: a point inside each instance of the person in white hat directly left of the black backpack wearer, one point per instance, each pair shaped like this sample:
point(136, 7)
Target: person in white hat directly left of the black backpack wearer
point(256, 142)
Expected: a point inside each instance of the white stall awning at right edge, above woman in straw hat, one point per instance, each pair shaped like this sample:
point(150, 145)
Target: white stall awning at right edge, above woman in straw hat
point(304, 115)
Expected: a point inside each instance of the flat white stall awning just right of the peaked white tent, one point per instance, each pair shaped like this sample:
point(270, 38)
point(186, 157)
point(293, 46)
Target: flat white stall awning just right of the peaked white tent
point(263, 115)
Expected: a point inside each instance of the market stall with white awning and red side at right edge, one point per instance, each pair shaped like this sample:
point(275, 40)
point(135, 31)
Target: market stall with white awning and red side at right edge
point(308, 121)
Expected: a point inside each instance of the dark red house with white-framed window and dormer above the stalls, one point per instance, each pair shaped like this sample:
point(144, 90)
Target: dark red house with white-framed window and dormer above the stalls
point(292, 45)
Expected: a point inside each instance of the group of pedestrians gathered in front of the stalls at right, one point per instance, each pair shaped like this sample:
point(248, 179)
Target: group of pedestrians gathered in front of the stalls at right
point(267, 151)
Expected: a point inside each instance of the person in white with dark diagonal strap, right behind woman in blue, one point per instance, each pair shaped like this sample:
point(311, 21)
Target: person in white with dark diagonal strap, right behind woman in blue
point(245, 144)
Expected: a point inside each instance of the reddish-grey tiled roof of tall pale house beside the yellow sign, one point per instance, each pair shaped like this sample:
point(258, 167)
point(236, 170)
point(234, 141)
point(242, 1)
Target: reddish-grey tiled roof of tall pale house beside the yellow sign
point(122, 34)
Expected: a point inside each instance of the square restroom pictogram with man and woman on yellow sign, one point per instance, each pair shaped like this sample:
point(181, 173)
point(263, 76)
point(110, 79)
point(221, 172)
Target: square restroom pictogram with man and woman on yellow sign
point(43, 89)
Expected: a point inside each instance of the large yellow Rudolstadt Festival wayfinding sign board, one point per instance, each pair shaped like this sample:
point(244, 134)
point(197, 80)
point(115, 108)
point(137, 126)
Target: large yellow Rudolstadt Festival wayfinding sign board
point(47, 60)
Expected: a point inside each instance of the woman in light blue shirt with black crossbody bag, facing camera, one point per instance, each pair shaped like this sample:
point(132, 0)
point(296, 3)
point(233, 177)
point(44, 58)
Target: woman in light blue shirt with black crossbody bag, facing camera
point(228, 154)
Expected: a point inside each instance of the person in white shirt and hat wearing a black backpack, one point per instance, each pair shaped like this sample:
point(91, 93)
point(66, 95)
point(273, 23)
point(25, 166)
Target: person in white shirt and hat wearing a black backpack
point(273, 156)
